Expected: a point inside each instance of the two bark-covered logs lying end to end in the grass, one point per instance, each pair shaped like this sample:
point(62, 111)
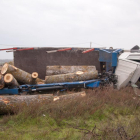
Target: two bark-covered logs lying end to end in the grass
point(9, 104)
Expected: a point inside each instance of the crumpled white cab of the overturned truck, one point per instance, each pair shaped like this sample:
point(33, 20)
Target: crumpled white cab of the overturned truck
point(128, 68)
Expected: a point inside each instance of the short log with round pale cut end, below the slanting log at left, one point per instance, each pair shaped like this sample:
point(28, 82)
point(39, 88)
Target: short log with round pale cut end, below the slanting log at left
point(10, 80)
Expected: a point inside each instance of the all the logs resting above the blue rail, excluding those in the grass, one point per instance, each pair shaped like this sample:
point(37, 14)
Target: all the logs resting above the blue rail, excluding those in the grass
point(12, 76)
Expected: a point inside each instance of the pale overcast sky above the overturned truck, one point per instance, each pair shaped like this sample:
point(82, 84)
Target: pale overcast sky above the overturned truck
point(41, 23)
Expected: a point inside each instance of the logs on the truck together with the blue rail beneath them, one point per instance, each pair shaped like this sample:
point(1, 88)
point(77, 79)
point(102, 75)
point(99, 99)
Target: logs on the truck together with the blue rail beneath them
point(15, 81)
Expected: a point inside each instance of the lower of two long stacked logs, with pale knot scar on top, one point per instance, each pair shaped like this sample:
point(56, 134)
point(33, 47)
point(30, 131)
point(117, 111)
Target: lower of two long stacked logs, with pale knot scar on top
point(71, 77)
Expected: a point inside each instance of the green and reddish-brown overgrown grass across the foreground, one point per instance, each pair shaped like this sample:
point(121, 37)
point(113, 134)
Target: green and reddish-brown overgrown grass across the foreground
point(106, 114)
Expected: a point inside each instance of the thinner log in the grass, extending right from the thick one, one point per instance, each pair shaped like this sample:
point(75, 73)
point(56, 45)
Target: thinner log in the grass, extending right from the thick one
point(69, 96)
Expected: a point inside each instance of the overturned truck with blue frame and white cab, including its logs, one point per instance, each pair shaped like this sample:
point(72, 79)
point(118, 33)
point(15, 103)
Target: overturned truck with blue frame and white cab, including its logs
point(56, 68)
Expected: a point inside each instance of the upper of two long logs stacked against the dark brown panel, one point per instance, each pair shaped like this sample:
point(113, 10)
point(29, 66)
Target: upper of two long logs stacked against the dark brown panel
point(57, 69)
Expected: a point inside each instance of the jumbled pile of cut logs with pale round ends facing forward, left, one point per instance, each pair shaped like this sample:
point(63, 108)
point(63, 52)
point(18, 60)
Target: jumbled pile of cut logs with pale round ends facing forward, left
point(12, 76)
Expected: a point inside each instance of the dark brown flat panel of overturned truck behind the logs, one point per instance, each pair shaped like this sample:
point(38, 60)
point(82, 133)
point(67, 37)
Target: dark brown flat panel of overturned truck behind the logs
point(37, 60)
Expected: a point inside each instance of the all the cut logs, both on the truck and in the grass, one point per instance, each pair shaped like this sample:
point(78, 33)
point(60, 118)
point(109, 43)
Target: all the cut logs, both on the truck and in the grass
point(12, 76)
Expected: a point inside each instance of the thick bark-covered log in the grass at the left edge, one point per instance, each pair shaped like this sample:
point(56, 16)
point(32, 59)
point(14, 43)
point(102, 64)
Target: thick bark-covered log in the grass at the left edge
point(10, 103)
